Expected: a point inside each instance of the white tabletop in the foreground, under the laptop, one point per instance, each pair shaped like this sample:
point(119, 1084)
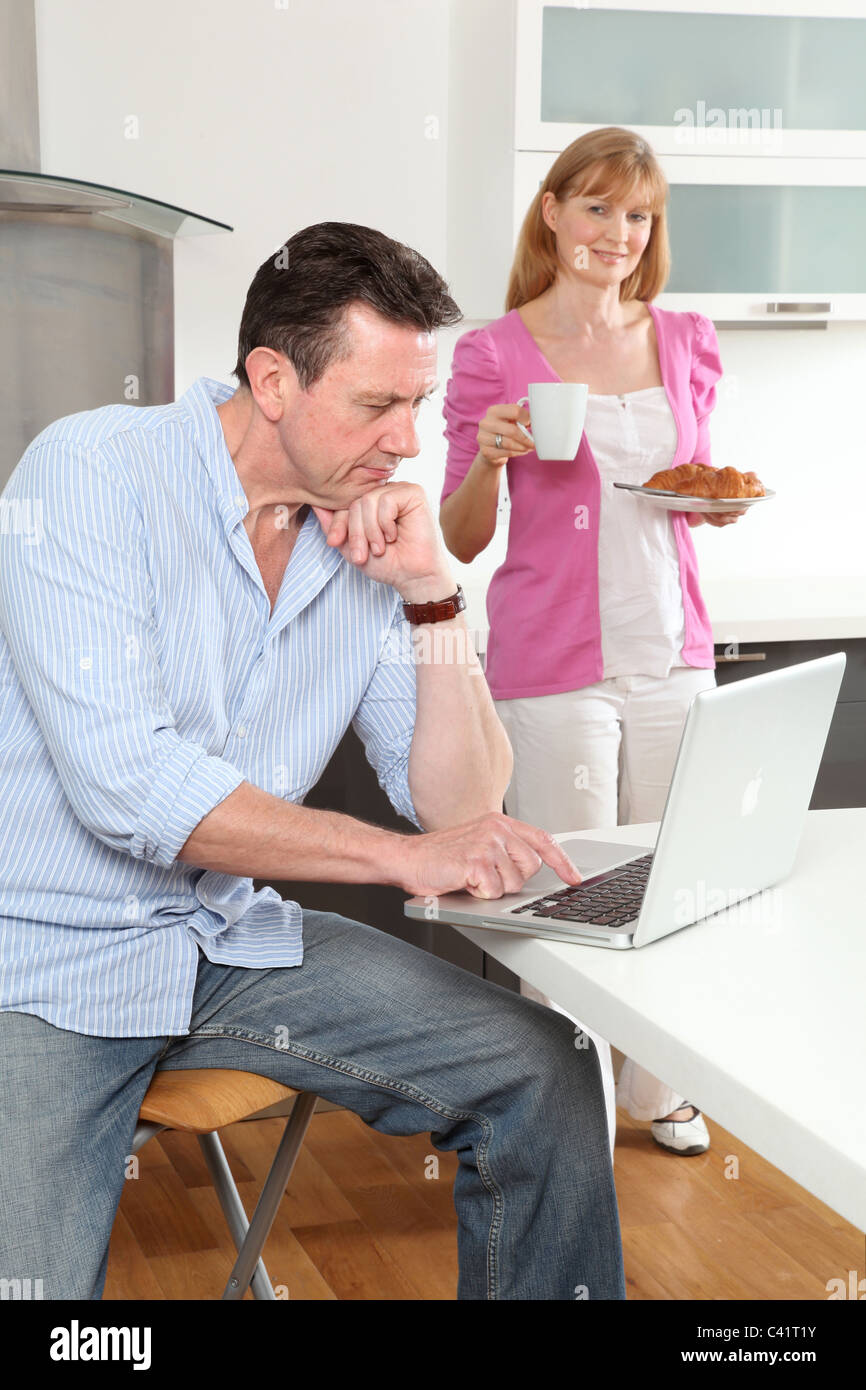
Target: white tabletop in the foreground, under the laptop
point(765, 1028)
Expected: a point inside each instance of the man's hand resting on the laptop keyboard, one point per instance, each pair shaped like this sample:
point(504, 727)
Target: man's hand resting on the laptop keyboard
point(490, 857)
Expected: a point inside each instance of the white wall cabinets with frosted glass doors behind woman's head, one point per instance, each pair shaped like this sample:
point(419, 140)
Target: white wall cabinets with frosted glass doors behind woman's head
point(758, 120)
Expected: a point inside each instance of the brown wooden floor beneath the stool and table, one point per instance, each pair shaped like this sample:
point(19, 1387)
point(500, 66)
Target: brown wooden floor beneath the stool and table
point(362, 1220)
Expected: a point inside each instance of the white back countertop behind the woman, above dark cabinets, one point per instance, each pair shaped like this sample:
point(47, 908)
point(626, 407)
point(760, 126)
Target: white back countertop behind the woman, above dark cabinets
point(779, 610)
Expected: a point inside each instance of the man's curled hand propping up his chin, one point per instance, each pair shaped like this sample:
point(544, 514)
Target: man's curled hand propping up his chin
point(390, 534)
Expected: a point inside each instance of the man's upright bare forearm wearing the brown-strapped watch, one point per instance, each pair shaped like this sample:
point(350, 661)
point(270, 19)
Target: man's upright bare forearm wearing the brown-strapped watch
point(461, 760)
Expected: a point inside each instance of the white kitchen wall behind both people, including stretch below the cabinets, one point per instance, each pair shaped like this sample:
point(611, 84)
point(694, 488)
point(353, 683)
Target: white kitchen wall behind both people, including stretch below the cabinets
point(272, 119)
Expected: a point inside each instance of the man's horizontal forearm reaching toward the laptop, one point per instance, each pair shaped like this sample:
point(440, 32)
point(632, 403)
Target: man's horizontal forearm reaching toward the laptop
point(258, 836)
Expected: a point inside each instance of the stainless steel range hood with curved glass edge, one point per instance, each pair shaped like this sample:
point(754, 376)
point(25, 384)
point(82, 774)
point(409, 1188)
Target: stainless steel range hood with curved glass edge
point(87, 295)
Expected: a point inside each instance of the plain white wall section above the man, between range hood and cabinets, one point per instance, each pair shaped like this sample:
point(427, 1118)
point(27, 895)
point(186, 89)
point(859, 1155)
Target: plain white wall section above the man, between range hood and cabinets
point(265, 117)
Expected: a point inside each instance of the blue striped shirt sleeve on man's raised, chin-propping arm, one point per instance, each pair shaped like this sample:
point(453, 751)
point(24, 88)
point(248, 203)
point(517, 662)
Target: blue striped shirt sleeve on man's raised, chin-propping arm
point(386, 718)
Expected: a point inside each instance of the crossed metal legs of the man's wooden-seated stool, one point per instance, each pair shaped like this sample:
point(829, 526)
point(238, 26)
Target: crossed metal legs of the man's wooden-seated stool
point(250, 1239)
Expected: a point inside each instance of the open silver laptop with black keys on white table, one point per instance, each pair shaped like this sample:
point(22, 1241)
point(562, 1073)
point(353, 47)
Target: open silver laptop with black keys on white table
point(732, 825)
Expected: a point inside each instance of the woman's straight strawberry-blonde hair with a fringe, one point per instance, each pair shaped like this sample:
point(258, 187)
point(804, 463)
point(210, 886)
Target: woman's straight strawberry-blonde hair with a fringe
point(612, 163)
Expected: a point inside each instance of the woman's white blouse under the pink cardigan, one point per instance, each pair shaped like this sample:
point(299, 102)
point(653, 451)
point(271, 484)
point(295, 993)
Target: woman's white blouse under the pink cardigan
point(640, 597)
